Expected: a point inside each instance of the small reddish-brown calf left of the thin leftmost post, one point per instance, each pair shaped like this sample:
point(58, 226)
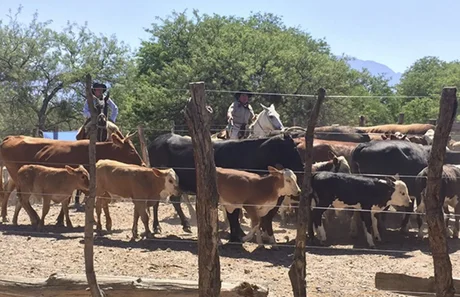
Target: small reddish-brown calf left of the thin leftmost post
point(50, 183)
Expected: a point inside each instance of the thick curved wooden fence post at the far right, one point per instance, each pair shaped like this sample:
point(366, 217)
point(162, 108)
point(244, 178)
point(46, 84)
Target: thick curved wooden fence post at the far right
point(434, 213)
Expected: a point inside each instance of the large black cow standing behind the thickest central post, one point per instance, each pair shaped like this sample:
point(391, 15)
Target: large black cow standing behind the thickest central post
point(253, 155)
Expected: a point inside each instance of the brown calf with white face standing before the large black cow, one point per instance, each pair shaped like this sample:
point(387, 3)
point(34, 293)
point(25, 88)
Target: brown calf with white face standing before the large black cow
point(257, 194)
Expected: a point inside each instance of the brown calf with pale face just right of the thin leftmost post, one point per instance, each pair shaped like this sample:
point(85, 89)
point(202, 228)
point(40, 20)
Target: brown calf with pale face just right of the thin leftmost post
point(145, 186)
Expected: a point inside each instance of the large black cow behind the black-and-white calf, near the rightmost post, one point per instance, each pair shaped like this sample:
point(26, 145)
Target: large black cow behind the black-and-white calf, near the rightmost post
point(396, 156)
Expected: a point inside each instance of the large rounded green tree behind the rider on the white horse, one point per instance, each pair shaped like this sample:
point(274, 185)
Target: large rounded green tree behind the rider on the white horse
point(229, 53)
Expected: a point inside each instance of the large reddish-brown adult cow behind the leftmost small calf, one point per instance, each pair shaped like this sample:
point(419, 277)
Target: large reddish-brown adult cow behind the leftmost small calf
point(17, 151)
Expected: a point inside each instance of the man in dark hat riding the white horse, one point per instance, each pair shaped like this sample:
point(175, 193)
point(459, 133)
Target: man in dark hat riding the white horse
point(239, 113)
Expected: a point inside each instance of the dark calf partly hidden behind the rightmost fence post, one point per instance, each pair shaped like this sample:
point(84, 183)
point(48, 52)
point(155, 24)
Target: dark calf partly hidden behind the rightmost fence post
point(449, 195)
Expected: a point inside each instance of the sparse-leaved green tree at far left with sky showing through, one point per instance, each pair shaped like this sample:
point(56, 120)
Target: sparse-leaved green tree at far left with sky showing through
point(43, 71)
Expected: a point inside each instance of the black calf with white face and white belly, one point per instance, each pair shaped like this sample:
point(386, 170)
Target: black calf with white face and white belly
point(342, 190)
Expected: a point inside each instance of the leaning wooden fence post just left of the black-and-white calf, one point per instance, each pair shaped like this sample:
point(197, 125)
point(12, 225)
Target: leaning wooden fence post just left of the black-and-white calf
point(297, 271)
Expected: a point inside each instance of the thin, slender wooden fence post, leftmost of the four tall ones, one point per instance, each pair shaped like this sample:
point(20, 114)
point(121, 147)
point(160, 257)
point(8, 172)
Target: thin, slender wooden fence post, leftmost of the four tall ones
point(89, 205)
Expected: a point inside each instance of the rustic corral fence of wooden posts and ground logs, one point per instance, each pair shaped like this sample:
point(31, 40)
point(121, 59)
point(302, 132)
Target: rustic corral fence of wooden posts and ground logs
point(209, 283)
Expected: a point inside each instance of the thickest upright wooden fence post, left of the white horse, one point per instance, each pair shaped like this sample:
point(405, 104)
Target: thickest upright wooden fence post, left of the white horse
point(198, 121)
